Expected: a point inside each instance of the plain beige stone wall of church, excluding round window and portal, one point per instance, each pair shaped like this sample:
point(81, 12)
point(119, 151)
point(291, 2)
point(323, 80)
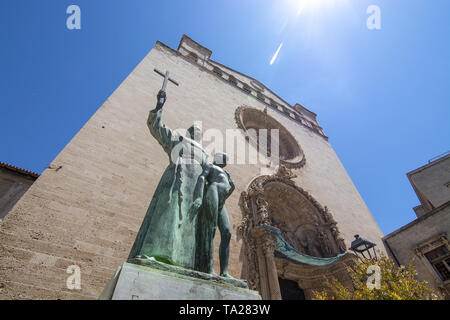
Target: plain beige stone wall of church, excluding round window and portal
point(89, 211)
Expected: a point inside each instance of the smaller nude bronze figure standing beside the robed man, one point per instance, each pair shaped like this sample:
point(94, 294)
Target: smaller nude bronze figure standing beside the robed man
point(219, 187)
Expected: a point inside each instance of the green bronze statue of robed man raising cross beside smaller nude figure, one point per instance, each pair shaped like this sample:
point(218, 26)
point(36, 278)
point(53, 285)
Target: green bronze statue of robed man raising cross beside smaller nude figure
point(188, 204)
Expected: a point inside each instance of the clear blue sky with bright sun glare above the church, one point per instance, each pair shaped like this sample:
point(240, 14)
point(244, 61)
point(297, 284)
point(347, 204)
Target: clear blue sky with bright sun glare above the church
point(382, 96)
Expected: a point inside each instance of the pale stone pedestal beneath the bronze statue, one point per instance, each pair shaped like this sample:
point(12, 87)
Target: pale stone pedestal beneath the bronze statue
point(142, 282)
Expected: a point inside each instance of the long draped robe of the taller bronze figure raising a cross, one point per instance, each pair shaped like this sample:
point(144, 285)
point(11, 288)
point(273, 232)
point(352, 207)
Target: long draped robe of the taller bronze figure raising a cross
point(168, 232)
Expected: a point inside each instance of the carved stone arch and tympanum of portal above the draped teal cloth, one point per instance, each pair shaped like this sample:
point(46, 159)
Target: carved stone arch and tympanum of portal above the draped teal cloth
point(266, 202)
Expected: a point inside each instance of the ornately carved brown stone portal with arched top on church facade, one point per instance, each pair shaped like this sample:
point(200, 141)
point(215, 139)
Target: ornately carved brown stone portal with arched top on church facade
point(276, 202)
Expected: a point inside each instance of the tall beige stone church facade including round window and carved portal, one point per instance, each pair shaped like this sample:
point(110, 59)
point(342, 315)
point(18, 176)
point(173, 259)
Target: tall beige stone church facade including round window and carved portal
point(85, 209)
